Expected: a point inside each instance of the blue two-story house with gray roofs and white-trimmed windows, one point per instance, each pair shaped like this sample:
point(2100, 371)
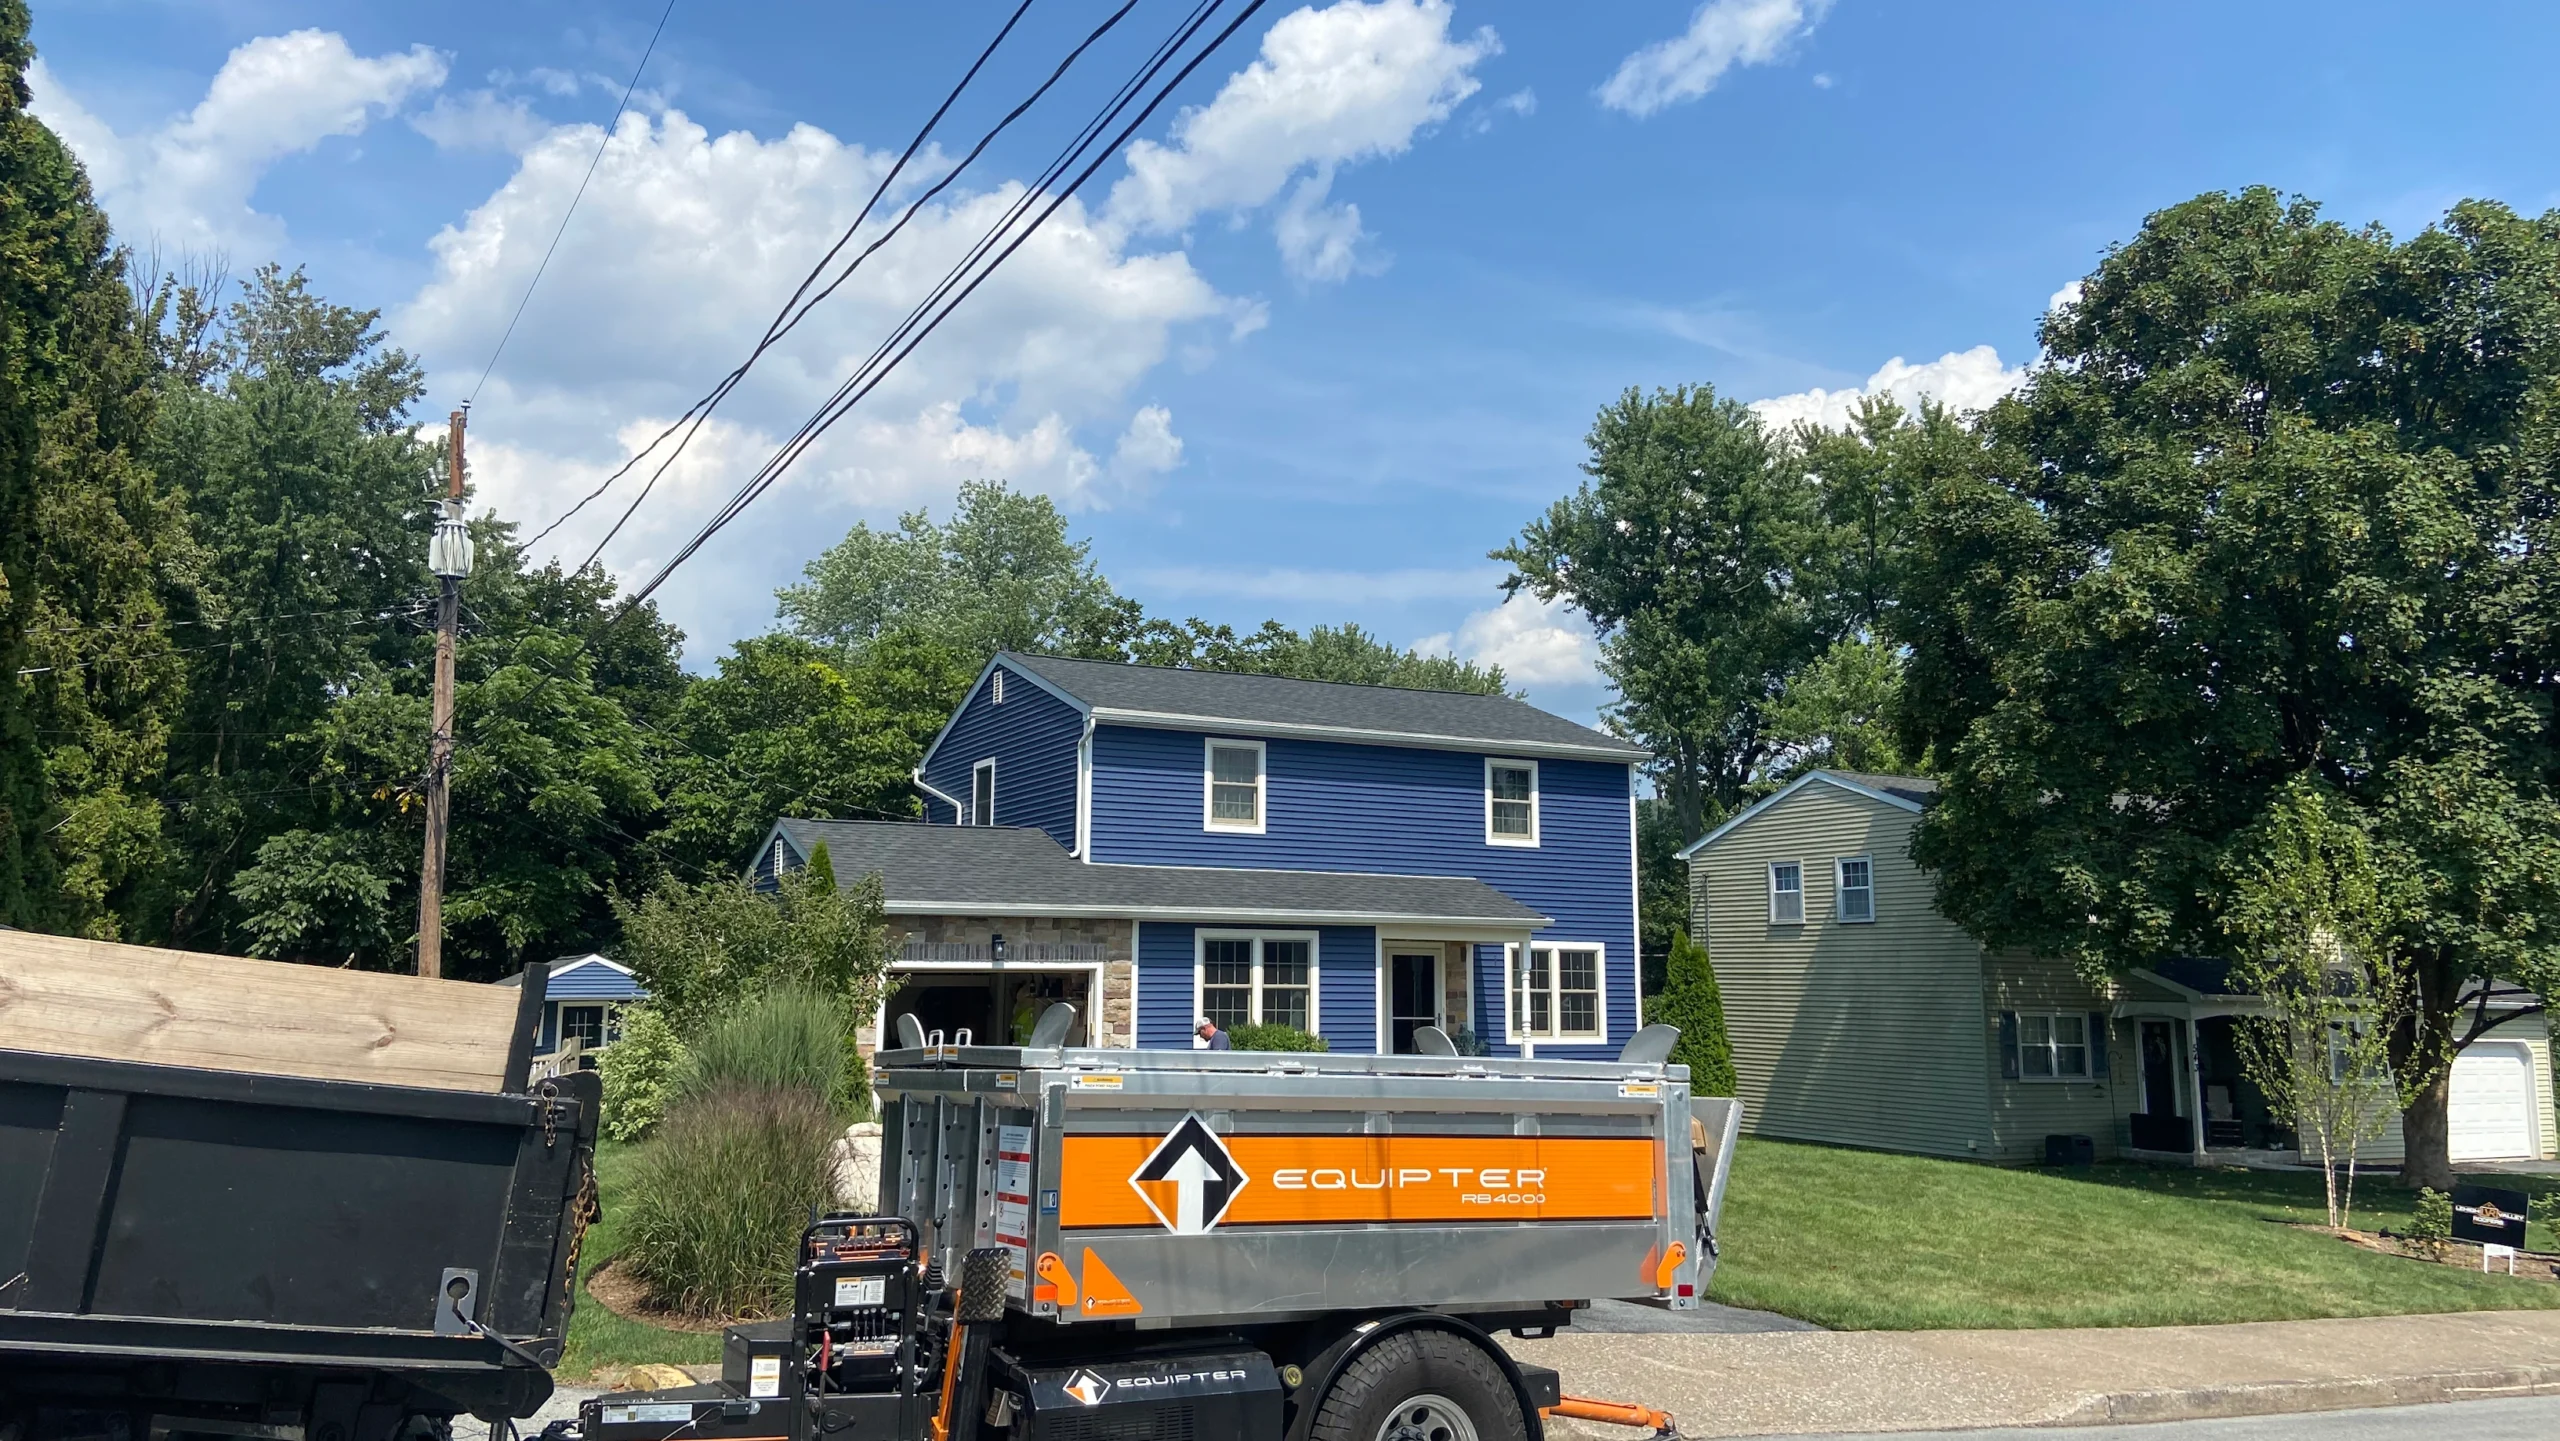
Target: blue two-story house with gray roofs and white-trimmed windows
point(1161, 846)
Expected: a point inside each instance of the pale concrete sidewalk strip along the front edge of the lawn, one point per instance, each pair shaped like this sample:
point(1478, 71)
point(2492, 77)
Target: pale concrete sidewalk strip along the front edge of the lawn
point(1791, 1383)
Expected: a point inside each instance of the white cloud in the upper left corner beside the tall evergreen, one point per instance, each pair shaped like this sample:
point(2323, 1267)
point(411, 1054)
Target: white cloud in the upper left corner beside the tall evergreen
point(188, 183)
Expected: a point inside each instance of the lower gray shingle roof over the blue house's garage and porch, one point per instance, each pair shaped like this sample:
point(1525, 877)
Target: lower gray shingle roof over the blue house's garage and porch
point(1018, 872)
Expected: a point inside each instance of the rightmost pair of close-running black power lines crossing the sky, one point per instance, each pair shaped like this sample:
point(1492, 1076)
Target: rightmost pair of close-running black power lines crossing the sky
point(918, 326)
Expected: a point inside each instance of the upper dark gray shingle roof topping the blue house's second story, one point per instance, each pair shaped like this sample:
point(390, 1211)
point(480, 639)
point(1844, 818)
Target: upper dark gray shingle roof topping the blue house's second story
point(1279, 703)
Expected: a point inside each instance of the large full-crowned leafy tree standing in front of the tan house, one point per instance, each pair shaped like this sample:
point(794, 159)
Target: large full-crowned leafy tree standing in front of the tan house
point(2277, 506)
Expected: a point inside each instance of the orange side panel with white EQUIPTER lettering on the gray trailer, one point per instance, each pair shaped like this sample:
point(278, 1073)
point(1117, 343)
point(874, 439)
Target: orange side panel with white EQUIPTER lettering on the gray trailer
point(1379, 1179)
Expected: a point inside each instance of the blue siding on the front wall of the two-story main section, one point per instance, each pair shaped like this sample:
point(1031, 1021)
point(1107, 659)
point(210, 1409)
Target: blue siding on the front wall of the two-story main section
point(1396, 810)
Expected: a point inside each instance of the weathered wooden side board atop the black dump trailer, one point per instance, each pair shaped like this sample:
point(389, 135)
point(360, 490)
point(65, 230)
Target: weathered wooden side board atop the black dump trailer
point(221, 1012)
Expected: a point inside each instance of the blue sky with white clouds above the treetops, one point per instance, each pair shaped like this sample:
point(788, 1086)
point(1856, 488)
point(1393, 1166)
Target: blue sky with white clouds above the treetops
point(1338, 331)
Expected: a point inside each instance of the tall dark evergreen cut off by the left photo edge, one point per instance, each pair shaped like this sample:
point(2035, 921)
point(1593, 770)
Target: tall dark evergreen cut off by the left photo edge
point(86, 672)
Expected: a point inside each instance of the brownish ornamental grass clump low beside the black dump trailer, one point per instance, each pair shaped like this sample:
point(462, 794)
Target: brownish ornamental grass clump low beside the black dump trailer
point(718, 1202)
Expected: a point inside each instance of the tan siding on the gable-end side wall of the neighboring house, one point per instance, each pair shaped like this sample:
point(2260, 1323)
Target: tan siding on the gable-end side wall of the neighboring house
point(1862, 1035)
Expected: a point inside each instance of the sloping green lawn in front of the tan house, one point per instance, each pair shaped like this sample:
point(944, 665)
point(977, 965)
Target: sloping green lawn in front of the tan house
point(1883, 1243)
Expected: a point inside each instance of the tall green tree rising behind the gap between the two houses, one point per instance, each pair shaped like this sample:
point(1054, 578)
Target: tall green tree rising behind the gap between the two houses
point(1696, 552)
